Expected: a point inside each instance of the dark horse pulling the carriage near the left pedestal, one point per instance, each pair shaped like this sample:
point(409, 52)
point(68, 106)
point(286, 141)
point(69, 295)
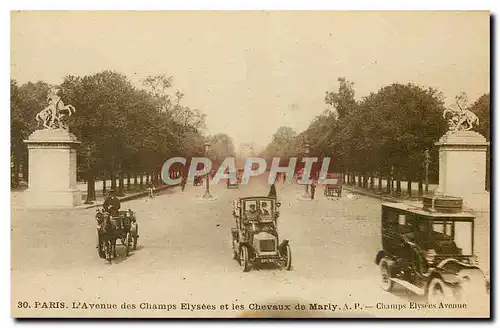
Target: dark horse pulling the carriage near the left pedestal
point(107, 230)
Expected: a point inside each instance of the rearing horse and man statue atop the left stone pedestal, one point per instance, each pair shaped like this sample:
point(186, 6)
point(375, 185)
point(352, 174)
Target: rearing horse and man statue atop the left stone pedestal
point(50, 117)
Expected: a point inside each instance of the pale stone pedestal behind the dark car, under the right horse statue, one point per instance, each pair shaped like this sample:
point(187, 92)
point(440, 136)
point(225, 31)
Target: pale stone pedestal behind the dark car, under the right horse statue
point(462, 168)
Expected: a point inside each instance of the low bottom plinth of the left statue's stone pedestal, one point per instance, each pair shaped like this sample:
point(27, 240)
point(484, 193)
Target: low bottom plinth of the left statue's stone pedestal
point(52, 198)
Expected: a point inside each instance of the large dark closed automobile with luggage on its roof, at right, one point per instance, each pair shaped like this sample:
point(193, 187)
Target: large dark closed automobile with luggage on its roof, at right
point(430, 250)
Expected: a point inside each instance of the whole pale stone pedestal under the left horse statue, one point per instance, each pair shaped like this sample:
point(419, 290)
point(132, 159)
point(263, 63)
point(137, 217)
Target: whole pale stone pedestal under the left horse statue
point(52, 170)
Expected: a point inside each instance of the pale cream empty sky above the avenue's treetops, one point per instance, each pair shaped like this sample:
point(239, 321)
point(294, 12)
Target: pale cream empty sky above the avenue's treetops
point(251, 72)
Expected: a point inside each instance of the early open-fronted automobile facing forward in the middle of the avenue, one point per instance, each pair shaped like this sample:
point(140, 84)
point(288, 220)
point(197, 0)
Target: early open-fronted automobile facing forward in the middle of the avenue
point(255, 237)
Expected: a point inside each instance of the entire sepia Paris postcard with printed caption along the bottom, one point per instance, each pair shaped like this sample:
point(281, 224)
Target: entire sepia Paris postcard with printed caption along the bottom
point(250, 164)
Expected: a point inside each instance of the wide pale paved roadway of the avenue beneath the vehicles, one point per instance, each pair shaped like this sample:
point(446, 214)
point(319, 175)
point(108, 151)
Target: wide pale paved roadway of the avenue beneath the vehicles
point(185, 255)
